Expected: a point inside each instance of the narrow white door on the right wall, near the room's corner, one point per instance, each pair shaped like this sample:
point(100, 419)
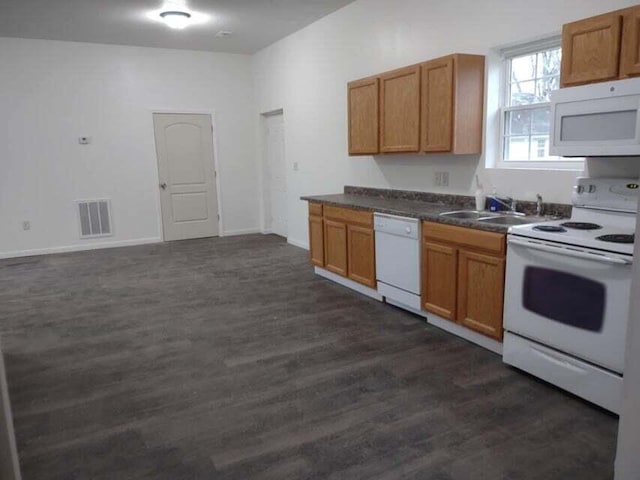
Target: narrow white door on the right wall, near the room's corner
point(275, 175)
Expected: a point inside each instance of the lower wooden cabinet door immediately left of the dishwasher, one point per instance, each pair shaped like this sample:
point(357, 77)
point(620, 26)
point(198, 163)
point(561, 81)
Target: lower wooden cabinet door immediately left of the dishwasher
point(362, 256)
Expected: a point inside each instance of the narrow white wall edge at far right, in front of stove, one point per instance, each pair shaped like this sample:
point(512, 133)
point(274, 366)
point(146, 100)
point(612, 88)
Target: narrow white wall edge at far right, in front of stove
point(627, 459)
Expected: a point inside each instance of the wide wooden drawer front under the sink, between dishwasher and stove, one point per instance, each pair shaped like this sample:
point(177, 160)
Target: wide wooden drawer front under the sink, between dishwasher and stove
point(468, 237)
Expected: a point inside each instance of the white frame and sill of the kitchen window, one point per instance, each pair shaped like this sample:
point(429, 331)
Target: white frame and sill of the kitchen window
point(507, 54)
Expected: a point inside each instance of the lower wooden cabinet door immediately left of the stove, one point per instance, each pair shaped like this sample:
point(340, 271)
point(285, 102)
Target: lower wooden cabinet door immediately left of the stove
point(481, 292)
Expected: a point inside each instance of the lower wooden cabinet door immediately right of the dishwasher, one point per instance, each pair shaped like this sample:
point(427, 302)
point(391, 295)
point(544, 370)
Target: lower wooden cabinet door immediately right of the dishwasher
point(439, 271)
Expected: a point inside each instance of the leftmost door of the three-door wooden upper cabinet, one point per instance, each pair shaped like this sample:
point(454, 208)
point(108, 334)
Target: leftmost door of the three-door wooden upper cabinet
point(363, 116)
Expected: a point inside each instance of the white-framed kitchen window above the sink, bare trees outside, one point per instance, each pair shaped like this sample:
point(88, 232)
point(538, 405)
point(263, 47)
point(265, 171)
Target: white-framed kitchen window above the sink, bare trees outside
point(531, 73)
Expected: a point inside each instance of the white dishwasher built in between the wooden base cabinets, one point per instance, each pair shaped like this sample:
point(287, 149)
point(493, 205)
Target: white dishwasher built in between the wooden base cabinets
point(398, 260)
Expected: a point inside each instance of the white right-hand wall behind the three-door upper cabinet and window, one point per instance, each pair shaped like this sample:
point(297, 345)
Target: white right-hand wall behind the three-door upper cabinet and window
point(306, 75)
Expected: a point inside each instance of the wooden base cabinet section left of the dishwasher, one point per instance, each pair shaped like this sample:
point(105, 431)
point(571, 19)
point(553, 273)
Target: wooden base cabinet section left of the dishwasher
point(342, 241)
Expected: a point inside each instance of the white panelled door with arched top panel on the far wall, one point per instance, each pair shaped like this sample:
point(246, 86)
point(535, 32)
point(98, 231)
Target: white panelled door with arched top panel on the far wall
point(184, 145)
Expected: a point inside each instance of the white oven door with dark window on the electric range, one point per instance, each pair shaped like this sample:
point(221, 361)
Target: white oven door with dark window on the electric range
point(574, 300)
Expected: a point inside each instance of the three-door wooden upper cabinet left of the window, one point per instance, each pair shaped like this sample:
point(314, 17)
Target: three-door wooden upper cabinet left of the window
point(435, 106)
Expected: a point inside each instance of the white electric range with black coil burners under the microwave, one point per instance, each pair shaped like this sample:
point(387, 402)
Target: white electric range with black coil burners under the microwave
point(568, 291)
